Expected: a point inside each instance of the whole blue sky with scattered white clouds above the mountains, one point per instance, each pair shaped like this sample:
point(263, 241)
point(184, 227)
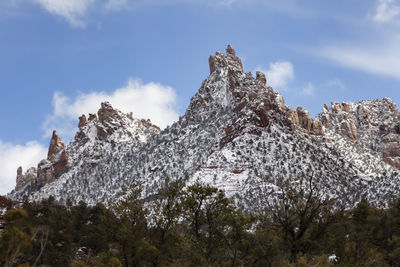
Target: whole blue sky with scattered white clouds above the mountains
point(61, 58)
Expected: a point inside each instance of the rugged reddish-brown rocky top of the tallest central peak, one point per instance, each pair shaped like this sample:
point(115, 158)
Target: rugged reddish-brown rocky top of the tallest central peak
point(252, 102)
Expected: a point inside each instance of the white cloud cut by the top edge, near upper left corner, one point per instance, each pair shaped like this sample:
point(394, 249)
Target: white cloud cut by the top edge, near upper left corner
point(74, 11)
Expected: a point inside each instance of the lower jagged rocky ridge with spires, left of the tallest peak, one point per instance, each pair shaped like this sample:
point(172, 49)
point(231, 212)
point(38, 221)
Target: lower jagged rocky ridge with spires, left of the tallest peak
point(93, 134)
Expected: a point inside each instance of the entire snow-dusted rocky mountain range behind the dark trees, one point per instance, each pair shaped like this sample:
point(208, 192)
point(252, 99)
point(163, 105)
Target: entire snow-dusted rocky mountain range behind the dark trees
point(238, 135)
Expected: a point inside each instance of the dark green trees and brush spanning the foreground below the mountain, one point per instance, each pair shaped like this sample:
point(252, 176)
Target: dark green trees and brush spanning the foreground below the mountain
point(198, 225)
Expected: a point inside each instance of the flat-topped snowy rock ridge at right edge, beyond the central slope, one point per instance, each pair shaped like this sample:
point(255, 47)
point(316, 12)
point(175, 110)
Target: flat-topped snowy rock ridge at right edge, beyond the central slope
point(373, 125)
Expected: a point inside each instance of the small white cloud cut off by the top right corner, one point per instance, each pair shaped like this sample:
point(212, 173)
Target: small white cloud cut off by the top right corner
point(386, 11)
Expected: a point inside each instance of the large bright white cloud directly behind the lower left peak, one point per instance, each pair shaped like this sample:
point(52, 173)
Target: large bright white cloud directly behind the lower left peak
point(151, 100)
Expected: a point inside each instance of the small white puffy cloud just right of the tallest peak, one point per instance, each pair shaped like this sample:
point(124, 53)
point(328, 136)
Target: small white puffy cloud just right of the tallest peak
point(279, 74)
